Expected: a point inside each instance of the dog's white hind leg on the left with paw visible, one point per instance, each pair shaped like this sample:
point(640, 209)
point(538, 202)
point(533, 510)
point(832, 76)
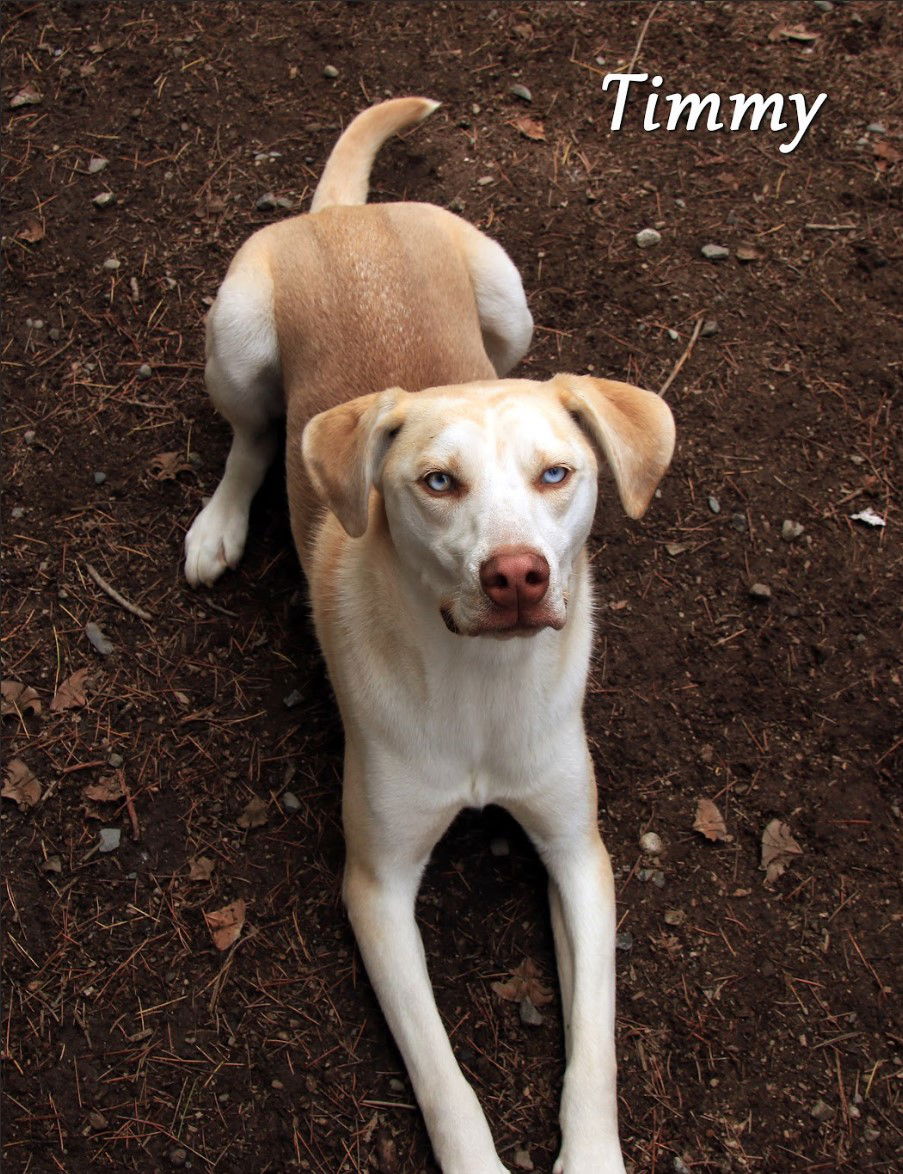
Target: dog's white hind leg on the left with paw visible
point(242, 379)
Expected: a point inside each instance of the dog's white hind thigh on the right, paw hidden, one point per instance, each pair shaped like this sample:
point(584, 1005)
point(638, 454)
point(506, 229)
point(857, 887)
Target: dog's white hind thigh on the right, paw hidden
point(506, 321)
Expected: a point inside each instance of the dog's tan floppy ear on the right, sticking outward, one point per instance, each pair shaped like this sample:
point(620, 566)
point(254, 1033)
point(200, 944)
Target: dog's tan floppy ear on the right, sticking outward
point(632, 428)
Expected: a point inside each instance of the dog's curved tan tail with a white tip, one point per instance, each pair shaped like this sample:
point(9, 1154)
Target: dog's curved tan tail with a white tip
point(347, 174)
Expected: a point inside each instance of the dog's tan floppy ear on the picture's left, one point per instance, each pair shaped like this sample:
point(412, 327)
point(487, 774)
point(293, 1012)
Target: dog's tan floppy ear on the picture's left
point(343, 450)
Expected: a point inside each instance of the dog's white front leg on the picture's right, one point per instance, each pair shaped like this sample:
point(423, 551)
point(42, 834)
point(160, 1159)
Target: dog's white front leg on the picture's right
point(563, 825)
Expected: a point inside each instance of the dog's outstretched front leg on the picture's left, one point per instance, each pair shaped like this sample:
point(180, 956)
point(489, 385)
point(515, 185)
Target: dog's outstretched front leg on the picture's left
point(389, 842)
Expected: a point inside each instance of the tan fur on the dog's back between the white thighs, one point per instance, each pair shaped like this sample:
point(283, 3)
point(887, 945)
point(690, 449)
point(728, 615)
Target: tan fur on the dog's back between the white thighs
point(394, 306)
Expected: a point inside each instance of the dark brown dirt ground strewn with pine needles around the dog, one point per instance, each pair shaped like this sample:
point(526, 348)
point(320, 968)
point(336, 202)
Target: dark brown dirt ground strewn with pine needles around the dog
point(759, 1023)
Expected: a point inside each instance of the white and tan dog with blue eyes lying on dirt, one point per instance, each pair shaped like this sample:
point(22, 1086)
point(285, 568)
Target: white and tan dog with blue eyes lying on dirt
point(441, 514)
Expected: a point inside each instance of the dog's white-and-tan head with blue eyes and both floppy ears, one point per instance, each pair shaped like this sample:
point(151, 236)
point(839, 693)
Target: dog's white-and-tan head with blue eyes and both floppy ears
point(490, 489)
